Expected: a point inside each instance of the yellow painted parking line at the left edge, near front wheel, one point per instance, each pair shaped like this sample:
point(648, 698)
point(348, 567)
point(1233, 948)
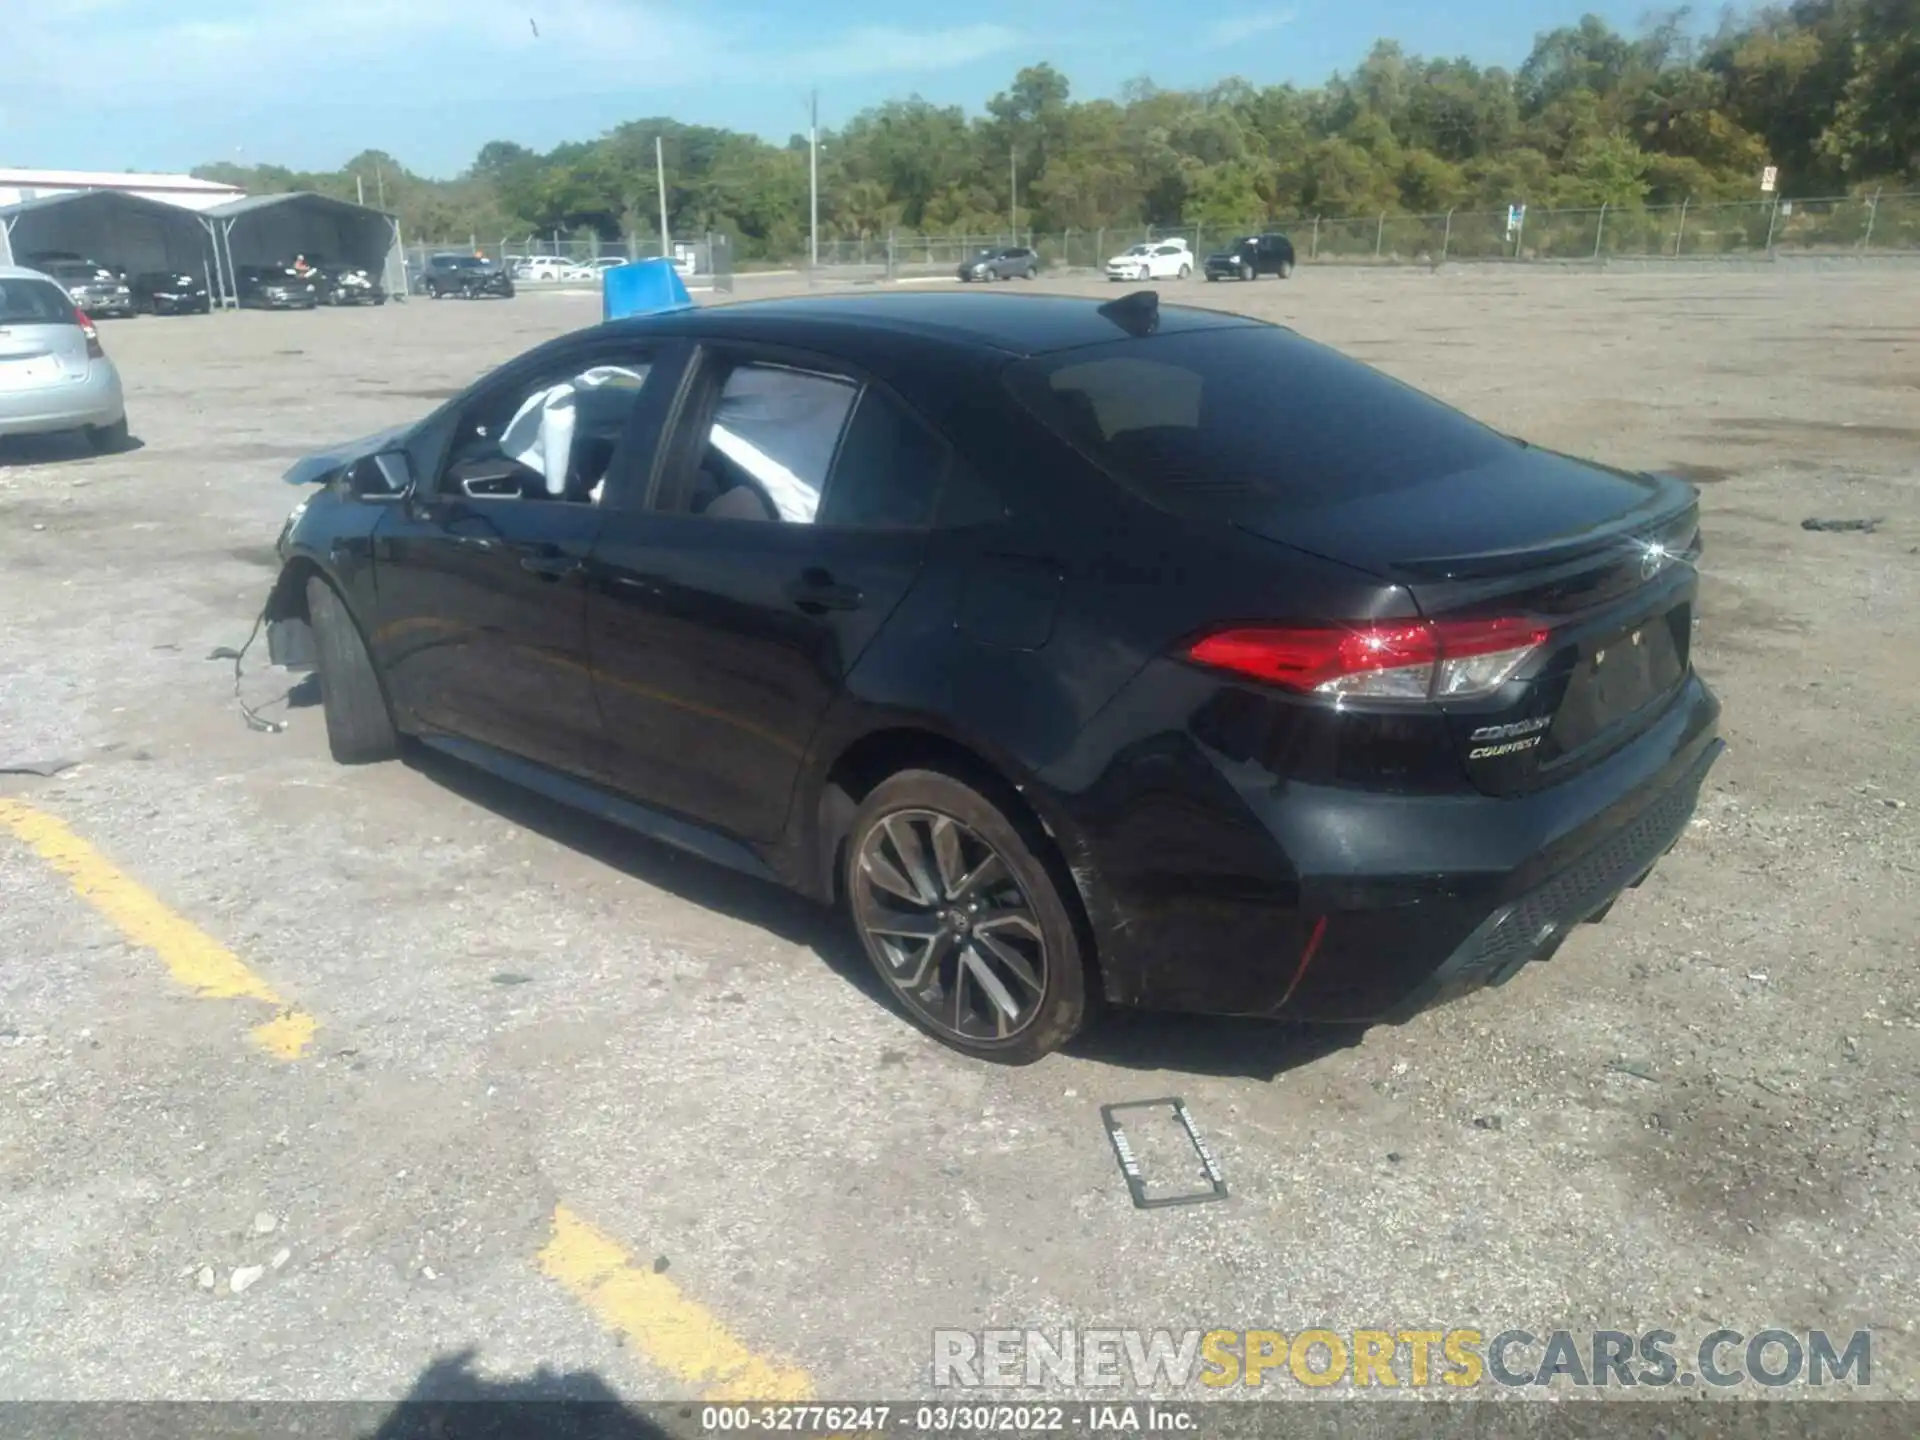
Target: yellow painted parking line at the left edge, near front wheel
point(193, 957)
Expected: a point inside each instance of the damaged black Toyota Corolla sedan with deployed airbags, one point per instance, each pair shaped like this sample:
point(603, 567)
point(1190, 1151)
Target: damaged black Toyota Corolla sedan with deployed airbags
point(1086, 652)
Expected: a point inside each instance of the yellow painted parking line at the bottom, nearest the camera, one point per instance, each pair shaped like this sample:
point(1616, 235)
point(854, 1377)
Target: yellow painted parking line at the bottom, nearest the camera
point(652, 1314)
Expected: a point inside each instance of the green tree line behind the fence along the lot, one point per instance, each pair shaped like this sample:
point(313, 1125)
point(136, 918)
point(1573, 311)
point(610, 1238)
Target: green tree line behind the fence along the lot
point(1829, 91)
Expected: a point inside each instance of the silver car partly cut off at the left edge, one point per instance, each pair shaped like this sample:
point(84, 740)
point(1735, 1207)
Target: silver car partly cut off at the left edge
point(53, 372)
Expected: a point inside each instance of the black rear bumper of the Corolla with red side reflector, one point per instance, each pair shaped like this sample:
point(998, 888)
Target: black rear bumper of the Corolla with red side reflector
point(1228, 890)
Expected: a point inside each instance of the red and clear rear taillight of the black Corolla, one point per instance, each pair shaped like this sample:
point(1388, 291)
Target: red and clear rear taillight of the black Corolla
point(1397, 661)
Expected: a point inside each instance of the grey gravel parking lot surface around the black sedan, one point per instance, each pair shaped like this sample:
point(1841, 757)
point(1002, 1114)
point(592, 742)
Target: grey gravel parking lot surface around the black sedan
point(544, 1055)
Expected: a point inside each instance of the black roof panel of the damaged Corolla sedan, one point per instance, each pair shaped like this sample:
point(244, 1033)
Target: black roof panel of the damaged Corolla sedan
point(1009, 325)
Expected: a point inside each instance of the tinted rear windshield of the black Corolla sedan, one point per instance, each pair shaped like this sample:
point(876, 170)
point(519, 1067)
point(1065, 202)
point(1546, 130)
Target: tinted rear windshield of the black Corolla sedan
point(1236, 421)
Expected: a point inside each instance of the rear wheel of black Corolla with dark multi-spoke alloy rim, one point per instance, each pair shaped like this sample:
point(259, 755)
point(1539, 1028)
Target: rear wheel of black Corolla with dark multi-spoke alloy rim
point(967, 917)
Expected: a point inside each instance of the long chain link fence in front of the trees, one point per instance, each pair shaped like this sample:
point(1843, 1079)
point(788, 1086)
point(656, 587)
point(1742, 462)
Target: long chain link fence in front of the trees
point(1883, 226)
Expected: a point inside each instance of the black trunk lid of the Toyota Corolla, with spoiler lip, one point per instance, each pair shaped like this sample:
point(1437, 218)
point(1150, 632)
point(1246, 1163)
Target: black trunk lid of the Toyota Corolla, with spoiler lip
point(1602, 560)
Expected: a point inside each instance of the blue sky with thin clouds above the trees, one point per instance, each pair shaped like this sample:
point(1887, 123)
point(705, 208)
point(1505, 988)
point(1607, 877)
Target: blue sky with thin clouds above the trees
point(145, 85)
